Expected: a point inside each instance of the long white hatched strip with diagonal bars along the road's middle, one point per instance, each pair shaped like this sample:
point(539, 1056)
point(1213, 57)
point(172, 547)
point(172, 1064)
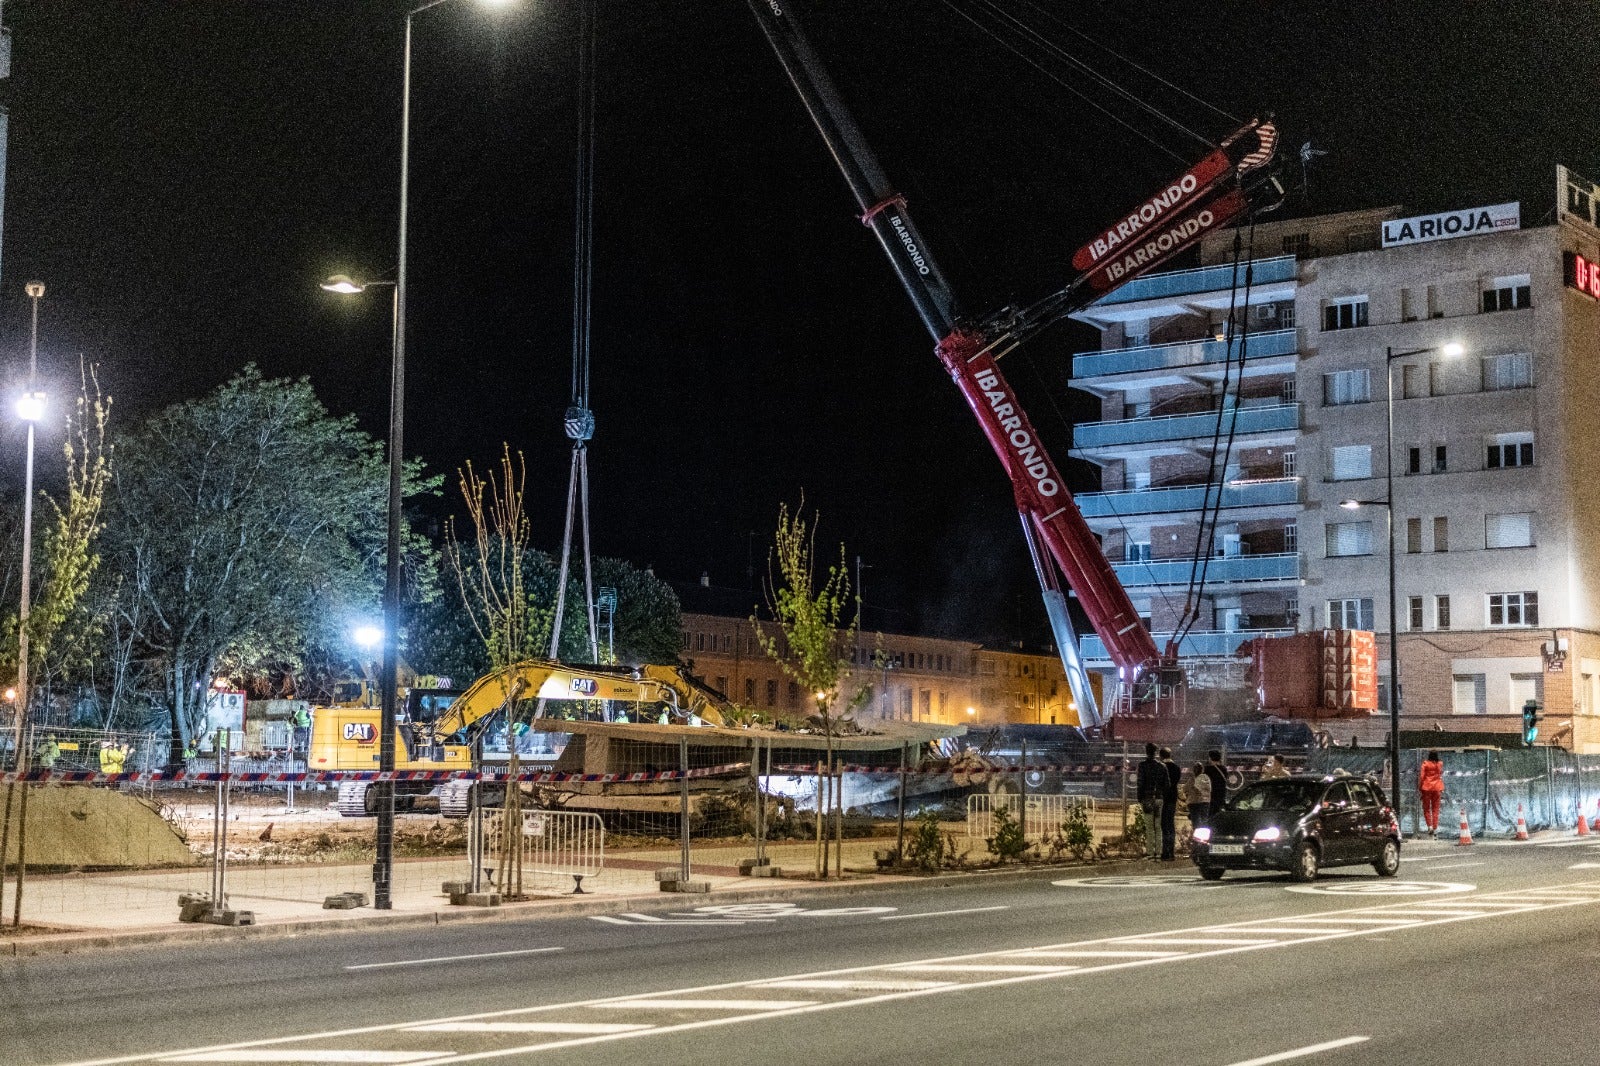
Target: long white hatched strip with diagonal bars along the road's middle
point(1345, 924)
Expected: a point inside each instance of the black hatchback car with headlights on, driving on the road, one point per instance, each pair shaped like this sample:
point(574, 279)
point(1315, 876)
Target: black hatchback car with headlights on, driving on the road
point(1302, 825)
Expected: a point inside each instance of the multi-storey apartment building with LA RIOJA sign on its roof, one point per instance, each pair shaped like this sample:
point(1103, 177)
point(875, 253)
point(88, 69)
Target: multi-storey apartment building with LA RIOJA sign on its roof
point(1473, 331)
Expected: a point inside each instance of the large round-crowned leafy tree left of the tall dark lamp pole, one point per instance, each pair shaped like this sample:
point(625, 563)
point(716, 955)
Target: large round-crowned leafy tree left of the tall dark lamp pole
point(249, 527)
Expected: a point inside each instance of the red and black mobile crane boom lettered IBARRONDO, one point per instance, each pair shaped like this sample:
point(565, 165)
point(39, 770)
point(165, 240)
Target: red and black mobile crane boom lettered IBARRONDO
point(1231, 182)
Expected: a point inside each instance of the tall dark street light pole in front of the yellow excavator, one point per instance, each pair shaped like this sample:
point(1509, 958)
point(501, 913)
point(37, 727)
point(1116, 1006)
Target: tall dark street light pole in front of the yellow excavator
point(386, 739)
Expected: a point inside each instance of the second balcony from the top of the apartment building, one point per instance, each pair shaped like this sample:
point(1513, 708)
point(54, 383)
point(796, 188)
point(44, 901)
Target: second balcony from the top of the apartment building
point(1186, 363)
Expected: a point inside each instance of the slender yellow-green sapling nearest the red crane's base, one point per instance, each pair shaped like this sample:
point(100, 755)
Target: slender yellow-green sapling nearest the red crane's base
point(812, 630)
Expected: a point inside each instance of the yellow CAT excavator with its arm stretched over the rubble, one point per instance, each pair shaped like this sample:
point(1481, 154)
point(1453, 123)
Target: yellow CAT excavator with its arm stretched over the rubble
point(436, 729)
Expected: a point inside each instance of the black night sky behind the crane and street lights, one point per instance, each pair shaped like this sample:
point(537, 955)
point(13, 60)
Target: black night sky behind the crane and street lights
point(182, 175)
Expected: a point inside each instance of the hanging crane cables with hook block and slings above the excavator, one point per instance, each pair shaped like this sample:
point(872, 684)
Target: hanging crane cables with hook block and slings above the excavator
point(580, 420)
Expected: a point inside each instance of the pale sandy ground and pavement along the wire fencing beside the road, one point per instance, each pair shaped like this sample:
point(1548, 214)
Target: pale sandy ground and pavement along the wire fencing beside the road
point(110, 867)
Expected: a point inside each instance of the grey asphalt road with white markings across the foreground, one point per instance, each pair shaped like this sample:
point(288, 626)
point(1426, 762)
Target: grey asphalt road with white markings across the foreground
point(1482, 955)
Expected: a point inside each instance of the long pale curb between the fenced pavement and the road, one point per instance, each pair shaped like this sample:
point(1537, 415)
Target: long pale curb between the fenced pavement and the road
point(100, 940)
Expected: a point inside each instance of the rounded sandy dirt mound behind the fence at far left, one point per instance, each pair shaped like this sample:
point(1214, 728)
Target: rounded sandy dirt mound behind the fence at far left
point(87, 828)
